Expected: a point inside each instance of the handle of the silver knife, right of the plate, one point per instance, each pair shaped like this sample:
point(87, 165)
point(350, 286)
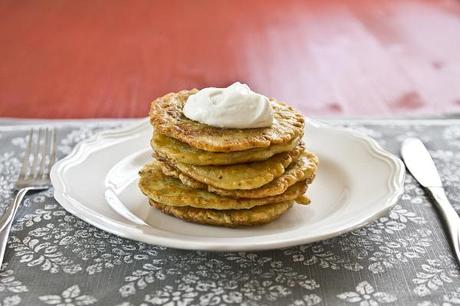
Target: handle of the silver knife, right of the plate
point(449, 215)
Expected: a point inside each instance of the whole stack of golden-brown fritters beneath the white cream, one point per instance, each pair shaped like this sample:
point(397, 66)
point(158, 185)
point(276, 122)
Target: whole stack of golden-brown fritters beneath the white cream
point(225, 176)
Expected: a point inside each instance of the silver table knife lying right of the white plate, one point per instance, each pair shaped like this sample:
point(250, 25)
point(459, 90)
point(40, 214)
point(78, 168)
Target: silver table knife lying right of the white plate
point(418, 161)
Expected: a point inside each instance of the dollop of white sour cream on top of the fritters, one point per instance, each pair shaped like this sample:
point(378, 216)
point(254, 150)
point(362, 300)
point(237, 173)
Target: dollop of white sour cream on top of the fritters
point(236, 106)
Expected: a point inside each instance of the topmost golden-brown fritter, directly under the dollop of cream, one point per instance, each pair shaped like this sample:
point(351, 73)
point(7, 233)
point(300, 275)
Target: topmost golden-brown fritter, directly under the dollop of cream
point(167, 117)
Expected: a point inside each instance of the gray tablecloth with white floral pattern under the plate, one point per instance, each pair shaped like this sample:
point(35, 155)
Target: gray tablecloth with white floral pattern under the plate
point(404, 258)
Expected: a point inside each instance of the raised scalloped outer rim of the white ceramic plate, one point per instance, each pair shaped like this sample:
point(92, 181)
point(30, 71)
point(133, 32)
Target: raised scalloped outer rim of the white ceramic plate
point(395, 185)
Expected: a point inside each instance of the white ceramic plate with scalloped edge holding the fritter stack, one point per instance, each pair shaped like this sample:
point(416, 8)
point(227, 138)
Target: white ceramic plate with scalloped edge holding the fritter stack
point(357, 182)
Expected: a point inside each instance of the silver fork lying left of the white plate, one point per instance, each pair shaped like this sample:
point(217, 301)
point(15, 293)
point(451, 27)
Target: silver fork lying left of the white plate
point(38, 159)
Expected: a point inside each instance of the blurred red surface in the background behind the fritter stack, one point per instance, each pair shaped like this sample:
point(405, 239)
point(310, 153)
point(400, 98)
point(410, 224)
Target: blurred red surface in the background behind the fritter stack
point(111, 58)
